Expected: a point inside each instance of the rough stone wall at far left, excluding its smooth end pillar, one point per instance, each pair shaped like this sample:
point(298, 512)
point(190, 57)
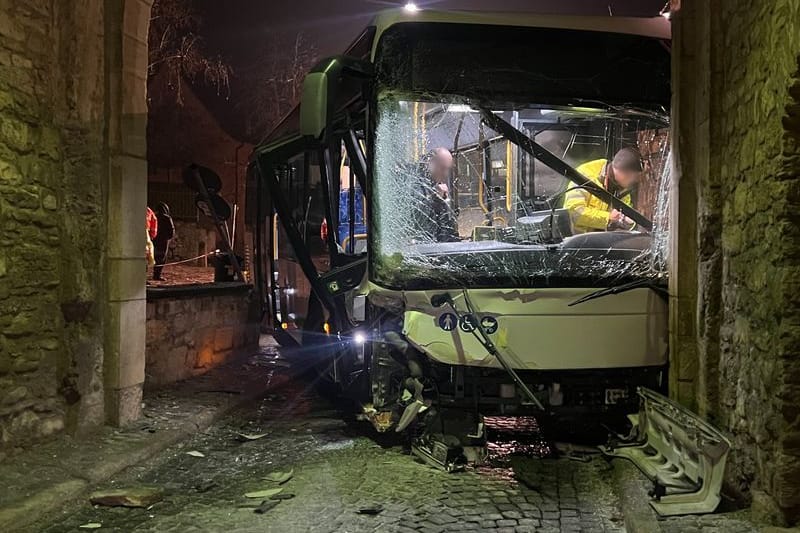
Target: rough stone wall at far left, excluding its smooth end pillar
point(51, 218)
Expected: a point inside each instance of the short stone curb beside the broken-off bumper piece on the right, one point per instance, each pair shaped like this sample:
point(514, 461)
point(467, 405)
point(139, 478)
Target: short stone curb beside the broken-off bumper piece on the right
point(631, 487)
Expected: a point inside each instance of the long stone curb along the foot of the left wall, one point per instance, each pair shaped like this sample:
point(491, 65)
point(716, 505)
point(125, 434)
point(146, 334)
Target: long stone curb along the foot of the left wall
point(53, 498)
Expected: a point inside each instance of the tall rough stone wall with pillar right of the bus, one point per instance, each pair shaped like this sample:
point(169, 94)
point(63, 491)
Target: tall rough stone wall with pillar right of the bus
point(739, 189)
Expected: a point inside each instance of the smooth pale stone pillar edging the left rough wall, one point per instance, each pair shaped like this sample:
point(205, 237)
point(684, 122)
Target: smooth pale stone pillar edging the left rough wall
point(126, 25)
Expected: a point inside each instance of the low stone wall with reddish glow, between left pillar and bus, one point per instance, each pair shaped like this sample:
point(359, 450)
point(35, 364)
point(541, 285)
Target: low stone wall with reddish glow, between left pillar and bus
point(191, 330)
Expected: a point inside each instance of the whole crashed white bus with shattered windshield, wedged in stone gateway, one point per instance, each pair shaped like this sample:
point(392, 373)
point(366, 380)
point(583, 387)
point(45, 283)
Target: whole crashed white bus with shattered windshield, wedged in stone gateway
point(422, 220)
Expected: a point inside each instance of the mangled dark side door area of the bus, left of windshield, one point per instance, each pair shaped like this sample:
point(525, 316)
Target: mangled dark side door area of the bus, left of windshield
point(317, 235)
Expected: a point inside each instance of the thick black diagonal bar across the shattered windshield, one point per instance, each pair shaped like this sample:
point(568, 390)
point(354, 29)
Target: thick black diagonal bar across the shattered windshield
point(551, 160)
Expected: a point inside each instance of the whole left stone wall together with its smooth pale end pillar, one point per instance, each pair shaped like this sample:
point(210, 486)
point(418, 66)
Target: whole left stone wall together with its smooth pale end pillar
point(72, 81)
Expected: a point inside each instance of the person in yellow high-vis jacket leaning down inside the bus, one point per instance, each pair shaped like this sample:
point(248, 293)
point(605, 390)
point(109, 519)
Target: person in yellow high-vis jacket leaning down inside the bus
point(619, 177)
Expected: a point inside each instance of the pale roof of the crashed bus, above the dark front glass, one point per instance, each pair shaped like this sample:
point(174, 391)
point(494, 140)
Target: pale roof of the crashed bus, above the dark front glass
point(655, 27)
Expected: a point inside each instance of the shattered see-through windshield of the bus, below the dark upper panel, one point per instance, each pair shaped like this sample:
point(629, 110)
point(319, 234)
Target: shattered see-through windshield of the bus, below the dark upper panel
point(459, 203)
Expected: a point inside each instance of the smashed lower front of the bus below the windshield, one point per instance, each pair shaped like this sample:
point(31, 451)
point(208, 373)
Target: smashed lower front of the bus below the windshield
point(416, 369)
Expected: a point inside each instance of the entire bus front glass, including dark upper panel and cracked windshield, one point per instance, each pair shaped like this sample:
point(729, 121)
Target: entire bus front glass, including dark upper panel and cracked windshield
point(495, 158)
